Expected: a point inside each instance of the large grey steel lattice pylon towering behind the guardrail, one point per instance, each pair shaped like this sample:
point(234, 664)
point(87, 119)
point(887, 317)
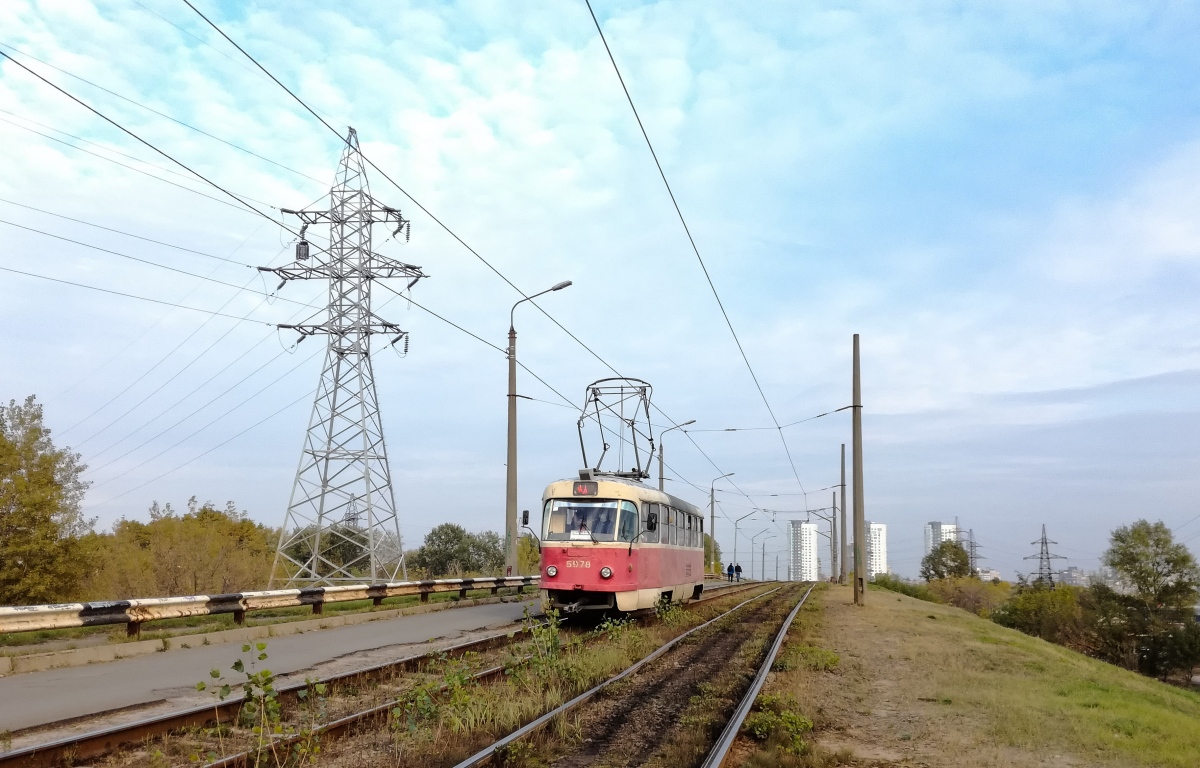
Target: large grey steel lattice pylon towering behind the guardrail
point(341, 525)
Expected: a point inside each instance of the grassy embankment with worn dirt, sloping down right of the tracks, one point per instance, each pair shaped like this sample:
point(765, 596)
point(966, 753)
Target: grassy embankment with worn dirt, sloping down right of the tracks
point(905, 683)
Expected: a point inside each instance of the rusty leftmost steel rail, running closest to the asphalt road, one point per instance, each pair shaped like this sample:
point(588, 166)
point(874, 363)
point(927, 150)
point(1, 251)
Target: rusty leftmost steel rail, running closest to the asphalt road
point(106, 741)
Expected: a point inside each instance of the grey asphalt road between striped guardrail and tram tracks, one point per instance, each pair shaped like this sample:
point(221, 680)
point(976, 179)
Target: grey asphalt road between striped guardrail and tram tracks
point(43, 698)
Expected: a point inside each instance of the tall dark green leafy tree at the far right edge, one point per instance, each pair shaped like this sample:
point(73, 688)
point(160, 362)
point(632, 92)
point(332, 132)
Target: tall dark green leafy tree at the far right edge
point(1163, 579)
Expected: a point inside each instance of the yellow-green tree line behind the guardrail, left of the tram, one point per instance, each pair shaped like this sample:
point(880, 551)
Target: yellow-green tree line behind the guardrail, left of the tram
point(50, 553)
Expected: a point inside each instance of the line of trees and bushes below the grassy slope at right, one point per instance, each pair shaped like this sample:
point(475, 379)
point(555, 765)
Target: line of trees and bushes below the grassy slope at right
point(1148, 623)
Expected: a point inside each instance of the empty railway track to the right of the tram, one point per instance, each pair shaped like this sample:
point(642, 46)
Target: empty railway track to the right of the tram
point(628, 728)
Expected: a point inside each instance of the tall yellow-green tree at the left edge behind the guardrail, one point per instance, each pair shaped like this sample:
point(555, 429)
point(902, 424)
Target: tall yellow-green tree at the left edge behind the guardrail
point(41, 524)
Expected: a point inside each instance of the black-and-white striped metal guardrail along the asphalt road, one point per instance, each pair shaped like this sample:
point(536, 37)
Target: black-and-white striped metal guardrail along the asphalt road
point(134, 614)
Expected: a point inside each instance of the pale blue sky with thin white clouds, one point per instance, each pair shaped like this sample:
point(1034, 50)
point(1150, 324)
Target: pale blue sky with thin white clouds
point(1000, 199)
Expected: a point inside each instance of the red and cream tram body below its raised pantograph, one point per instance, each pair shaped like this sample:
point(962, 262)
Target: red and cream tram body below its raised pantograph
point(613, 543)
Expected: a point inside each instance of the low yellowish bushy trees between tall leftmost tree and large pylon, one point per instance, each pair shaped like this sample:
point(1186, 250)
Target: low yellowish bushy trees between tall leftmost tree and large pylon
point(207, 550)
